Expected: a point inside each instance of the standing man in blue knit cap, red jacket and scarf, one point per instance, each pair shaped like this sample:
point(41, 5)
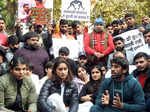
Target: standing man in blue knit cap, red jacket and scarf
point(98, 44)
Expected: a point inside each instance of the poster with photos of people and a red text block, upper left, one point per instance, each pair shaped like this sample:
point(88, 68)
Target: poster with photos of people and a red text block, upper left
point(35, 11)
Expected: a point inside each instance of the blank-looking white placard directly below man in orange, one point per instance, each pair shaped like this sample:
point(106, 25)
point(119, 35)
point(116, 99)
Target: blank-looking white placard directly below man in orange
point(72, 45)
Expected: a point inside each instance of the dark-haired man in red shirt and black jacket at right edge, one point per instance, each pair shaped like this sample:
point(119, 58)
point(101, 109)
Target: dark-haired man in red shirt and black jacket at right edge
point(142, 74)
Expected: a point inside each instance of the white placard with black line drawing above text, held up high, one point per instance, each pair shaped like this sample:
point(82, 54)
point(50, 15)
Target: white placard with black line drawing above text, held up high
point(76, 10)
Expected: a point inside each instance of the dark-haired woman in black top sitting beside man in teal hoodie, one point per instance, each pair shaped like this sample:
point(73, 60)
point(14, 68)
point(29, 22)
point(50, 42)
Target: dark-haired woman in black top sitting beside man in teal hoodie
point(89, 91)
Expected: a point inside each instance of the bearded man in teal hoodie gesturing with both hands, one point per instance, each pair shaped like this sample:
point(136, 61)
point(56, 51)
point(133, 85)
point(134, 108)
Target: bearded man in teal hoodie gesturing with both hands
point(120, 93)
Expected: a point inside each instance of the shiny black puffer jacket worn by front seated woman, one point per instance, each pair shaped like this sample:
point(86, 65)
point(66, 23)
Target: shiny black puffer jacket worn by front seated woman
point(70, 96)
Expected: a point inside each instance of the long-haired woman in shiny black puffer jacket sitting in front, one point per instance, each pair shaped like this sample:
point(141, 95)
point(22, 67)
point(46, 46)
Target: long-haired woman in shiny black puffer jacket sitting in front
point(59, 94)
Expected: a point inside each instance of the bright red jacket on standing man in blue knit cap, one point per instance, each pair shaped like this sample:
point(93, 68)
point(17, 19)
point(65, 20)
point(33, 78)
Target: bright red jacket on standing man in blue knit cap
point(98, 39)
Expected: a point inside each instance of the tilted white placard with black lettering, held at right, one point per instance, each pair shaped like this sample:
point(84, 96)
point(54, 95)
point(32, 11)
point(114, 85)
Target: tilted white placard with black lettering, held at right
point(133, 39)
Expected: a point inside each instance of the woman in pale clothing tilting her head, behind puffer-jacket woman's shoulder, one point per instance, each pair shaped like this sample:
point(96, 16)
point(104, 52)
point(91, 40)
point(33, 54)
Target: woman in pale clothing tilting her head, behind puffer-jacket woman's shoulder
point(82, 77)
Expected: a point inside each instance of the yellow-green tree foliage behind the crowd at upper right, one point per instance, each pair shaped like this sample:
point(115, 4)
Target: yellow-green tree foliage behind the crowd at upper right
point(116, 9)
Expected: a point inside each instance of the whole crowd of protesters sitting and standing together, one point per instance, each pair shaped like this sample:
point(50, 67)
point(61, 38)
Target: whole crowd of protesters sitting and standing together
point(105, 77)
